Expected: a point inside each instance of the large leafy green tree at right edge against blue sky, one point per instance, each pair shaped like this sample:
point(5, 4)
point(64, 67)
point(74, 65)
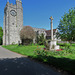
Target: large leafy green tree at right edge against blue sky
point(66, 26)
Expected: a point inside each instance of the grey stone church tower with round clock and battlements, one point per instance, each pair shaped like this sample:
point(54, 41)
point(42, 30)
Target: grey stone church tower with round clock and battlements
point(13, 23)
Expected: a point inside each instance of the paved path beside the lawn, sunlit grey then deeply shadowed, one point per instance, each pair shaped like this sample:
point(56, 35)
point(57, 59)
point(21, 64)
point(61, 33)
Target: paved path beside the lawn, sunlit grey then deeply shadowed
point(14, 64)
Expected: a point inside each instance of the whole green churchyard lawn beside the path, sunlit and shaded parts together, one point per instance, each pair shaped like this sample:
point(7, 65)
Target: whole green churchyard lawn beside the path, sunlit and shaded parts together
point(61, 59)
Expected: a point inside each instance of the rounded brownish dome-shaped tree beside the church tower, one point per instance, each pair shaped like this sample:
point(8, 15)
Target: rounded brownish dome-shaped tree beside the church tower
point(27, 35)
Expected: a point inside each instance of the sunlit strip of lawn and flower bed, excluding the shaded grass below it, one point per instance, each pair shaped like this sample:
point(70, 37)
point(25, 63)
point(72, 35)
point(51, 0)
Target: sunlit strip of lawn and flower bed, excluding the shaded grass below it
point(39, 50)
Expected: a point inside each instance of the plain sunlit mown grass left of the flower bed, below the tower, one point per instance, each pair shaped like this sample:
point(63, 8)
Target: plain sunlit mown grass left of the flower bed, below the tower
point(24, 50)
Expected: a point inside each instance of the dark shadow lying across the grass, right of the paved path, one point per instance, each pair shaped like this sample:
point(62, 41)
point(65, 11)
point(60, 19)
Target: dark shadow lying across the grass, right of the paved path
point(62, 63)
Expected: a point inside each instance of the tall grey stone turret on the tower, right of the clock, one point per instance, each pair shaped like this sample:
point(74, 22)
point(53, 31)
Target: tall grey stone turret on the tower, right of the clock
point(19, 9)
